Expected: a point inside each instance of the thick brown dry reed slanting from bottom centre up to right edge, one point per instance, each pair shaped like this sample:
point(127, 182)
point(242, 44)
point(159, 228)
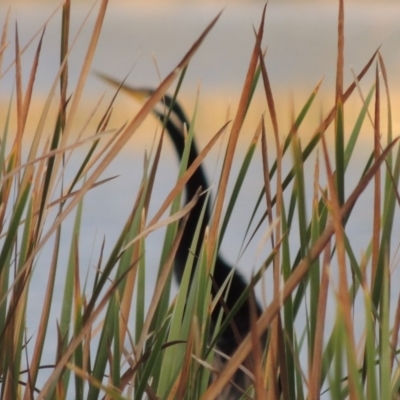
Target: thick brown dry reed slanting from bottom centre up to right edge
point(296, 277)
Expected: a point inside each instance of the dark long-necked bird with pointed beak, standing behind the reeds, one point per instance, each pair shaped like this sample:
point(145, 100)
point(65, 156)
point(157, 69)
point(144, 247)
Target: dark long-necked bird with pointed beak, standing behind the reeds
point(174, 120)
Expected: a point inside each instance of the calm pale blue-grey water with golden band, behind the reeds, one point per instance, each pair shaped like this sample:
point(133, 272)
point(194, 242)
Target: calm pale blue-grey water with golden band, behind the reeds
point(301, 41)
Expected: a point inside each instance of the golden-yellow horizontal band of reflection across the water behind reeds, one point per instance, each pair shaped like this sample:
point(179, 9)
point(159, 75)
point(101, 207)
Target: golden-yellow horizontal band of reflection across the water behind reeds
point(213, 110)
